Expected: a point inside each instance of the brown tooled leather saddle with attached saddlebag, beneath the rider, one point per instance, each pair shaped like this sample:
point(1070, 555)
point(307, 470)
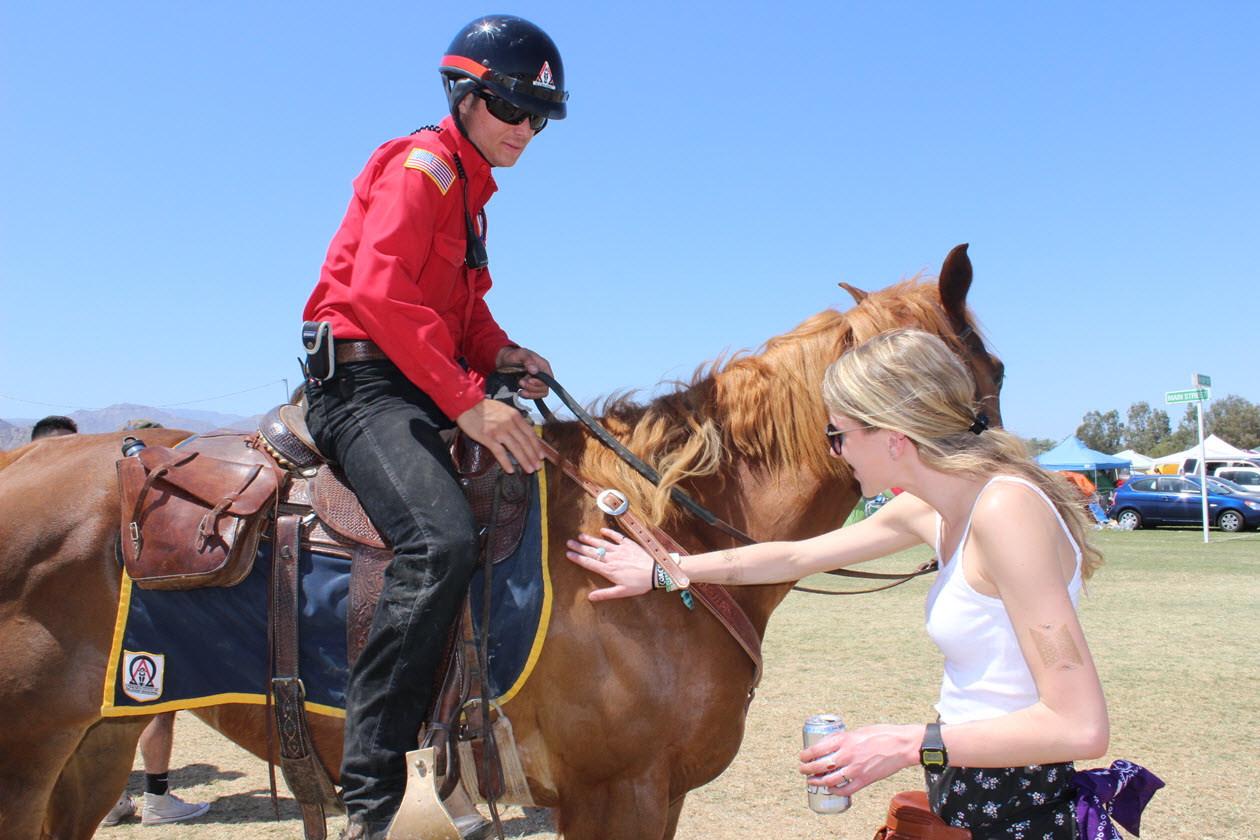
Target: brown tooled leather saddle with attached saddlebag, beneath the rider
point(195, 516)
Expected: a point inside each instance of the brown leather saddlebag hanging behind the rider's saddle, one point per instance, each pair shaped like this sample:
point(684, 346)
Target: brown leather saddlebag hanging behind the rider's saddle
point(192, 517)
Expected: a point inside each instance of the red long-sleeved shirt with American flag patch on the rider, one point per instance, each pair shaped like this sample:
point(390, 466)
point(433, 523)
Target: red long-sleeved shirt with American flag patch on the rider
point(395, 273)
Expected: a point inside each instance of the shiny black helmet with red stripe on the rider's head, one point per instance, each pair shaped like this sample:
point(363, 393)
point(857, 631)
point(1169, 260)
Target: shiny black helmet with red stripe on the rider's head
point(511, 57)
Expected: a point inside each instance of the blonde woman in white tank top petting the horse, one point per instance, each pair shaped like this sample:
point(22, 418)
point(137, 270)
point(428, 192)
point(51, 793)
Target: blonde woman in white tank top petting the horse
point(1021, 698)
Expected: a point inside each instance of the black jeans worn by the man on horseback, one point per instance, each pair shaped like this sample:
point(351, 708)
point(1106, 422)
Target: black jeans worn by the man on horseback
point(385, 433)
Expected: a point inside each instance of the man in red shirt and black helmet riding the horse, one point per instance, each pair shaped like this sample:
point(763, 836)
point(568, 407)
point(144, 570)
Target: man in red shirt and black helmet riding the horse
point(400, 341)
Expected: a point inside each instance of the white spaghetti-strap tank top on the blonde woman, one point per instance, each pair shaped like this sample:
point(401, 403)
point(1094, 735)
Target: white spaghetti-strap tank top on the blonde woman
point(986, 674)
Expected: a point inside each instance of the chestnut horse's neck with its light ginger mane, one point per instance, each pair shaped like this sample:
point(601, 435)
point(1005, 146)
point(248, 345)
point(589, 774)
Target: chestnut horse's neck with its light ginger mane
point(774, 478)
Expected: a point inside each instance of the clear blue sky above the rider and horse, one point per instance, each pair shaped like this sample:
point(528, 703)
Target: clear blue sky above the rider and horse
point(173, 174)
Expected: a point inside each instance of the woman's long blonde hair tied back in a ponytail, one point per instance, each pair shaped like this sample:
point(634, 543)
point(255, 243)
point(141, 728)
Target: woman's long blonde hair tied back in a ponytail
point(910, 382)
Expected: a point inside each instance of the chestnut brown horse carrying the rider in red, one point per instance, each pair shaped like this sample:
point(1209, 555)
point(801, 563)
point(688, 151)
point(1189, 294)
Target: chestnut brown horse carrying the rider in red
point(632, 705)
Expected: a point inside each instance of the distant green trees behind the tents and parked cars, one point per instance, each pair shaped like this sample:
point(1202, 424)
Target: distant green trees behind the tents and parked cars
point(1150, 431)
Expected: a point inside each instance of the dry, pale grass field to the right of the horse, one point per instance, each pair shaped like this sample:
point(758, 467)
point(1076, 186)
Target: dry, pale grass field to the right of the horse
point(1174, 627)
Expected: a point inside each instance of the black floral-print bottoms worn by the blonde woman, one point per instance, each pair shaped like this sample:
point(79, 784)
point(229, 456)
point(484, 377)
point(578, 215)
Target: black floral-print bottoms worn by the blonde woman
point(1007, 803)
